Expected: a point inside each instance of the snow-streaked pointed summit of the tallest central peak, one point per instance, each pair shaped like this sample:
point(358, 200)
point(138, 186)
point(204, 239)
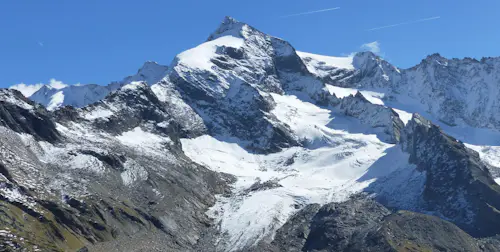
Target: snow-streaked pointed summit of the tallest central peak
point(238, 53)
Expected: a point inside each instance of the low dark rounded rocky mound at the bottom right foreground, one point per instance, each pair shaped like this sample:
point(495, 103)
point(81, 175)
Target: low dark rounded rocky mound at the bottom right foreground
point(361, 224)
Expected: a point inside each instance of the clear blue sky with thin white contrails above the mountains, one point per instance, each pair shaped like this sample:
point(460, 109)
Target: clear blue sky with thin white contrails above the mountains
point(98, 41)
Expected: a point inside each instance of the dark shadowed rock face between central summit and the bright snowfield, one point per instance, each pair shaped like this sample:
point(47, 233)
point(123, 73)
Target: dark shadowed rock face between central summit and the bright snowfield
point(242, 115)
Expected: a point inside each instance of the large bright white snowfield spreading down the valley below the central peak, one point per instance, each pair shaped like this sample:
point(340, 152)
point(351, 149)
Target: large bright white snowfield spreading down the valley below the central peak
point(331, 167)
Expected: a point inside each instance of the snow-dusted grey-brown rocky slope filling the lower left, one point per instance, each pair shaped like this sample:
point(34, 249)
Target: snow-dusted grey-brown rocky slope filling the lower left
point(91, 185)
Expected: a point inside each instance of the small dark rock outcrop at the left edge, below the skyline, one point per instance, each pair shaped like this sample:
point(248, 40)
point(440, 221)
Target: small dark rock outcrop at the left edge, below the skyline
point(30, 118)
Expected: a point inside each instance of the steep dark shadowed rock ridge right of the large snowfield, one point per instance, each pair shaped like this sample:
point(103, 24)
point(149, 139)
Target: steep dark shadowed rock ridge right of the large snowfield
point(459, 186)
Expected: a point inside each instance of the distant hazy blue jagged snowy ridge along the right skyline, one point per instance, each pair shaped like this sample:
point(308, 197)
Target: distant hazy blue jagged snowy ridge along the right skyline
point(456, 91)
